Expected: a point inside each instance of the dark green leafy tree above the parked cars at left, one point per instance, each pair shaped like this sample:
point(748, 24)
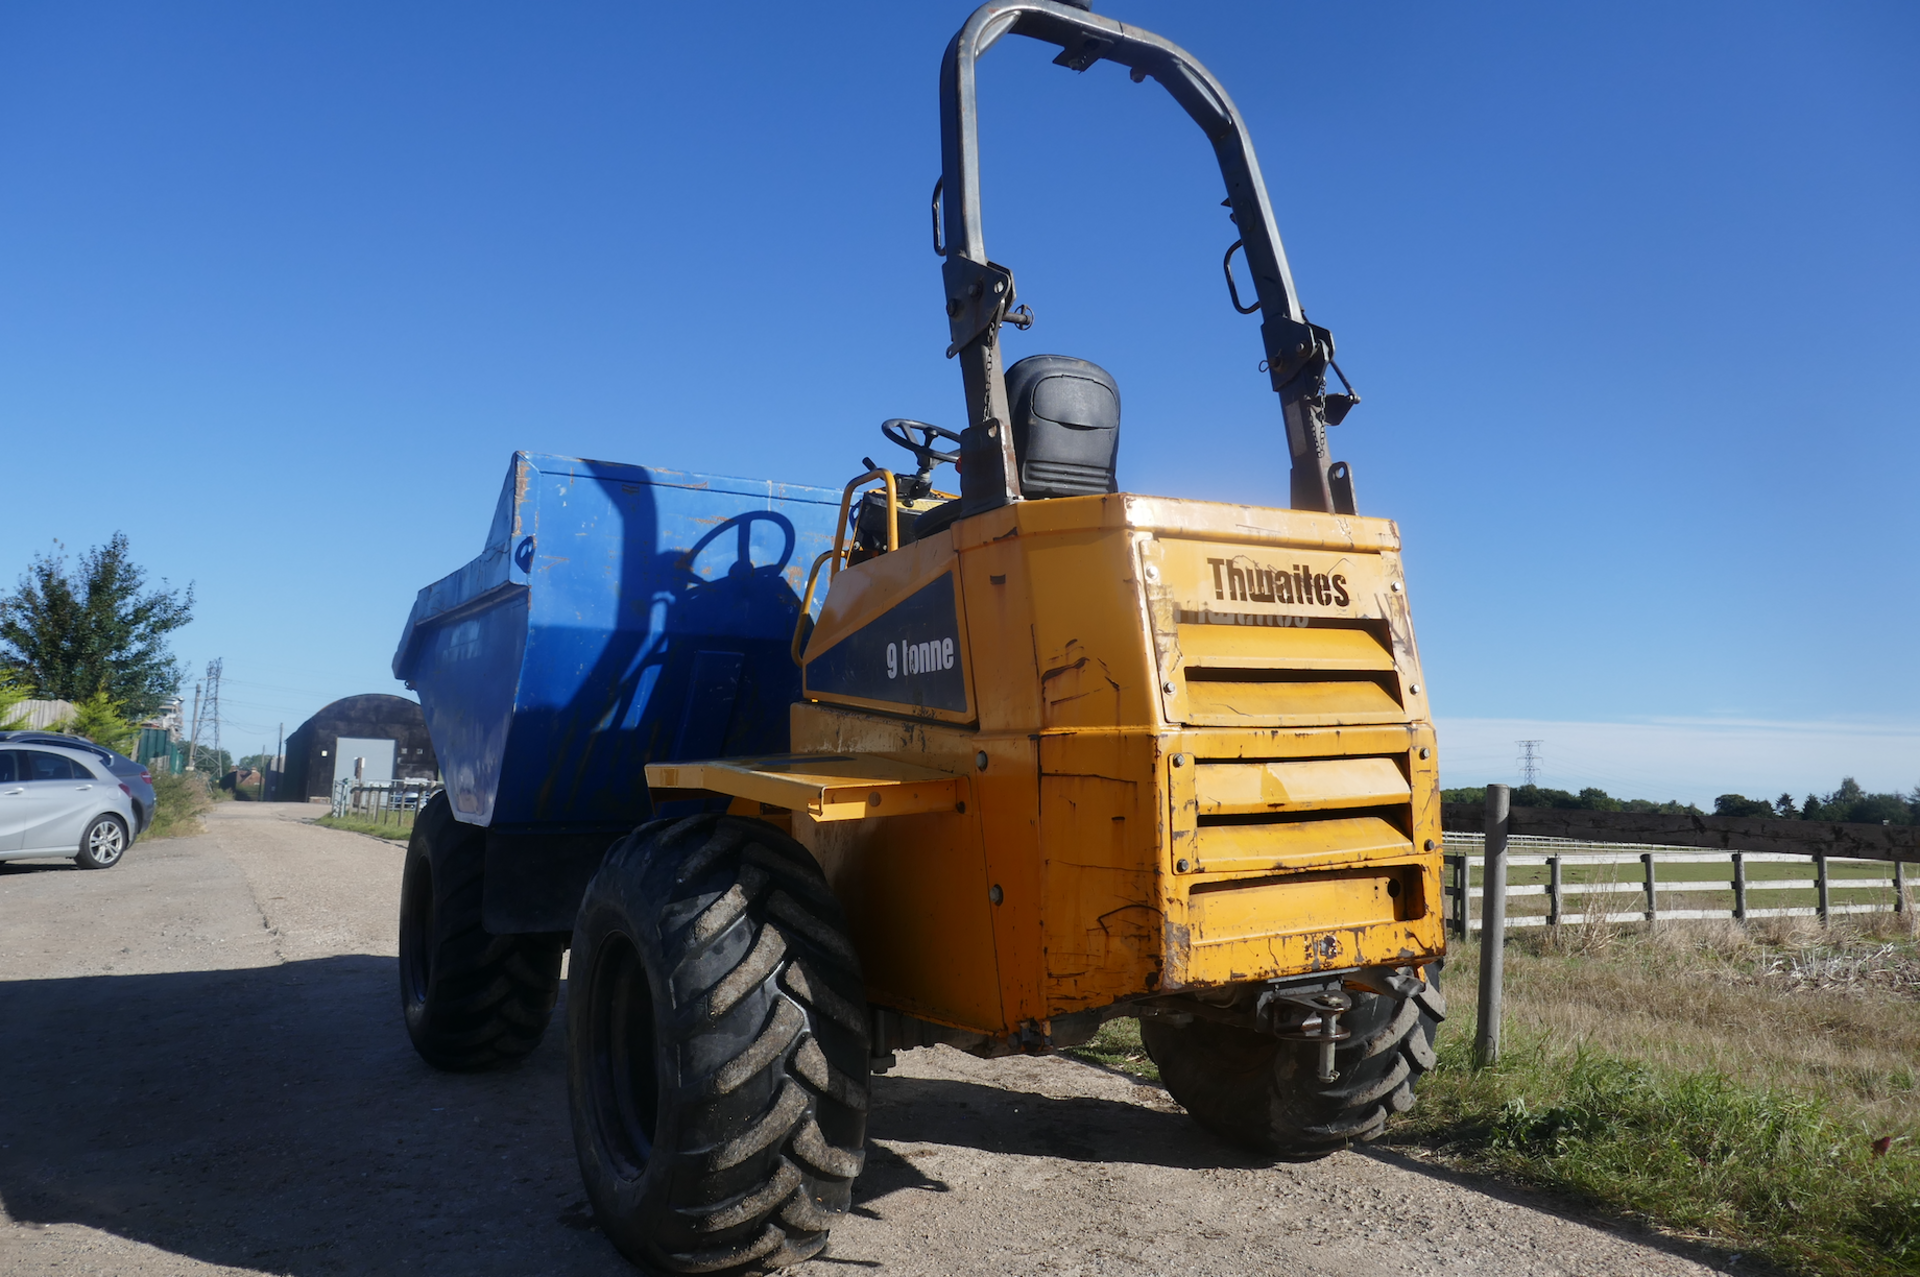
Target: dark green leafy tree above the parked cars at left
point(101, 629)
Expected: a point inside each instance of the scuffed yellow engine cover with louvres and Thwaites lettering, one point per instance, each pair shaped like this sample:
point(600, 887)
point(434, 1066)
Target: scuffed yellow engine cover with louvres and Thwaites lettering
point(1197, 746)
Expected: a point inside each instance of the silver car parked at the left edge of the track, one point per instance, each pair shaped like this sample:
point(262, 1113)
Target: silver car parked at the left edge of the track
point(62, 802)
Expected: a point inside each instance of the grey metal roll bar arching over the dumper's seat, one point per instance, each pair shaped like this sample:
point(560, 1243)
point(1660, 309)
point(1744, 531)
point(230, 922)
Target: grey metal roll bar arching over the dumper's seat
point(980, 295)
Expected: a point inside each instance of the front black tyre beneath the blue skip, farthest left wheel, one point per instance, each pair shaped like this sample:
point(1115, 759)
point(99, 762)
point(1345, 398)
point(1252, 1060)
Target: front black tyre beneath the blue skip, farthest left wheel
point(471, 1000)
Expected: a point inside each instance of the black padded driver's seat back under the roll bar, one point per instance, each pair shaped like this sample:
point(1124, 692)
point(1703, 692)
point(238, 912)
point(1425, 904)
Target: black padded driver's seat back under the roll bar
point(1067, 425)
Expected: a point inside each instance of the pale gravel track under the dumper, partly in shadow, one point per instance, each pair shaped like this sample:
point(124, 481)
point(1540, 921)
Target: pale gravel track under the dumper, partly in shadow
point(204, 1072)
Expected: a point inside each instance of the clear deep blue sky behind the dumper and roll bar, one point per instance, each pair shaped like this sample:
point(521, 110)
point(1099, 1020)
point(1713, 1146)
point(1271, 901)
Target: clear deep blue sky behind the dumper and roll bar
point(1627, 291)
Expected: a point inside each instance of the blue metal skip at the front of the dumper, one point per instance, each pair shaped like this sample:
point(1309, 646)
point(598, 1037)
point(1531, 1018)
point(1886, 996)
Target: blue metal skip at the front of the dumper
point(617, 617)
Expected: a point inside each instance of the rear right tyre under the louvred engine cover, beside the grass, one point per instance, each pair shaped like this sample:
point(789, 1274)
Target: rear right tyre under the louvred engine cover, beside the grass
point(1264, 1094)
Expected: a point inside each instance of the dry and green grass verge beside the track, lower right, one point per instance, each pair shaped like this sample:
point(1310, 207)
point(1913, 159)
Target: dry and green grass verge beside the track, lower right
point(1752, 1090)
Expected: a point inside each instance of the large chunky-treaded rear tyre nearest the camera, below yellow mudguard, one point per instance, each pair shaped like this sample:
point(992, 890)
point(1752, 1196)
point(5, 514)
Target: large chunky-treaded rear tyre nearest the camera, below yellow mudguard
point(717, 1049)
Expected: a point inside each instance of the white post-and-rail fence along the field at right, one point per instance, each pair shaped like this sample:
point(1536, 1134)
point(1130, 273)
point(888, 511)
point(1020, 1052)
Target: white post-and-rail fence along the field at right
point(1593, 861)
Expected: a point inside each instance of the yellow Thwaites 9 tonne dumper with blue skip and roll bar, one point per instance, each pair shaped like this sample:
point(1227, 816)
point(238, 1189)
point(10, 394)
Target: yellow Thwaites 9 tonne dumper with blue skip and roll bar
point(1051, 756)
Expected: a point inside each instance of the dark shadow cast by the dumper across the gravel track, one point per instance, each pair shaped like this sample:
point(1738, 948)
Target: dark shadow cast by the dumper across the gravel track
point(277, 1119)
